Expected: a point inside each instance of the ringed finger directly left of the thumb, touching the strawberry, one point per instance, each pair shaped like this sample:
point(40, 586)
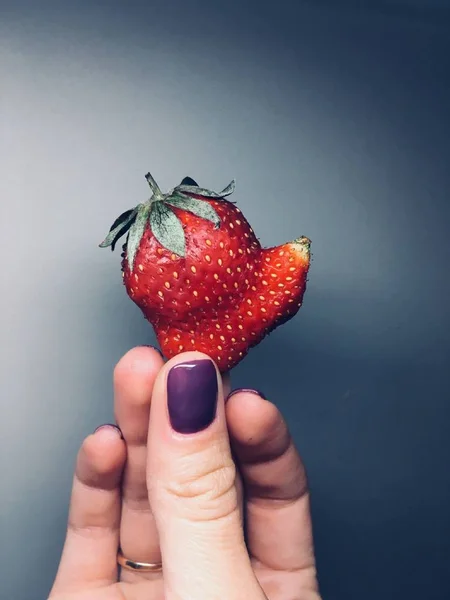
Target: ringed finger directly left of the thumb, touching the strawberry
point(134, 377)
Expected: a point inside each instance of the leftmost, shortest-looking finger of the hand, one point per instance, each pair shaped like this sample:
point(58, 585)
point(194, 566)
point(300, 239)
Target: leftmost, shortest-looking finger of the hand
point(90, 550)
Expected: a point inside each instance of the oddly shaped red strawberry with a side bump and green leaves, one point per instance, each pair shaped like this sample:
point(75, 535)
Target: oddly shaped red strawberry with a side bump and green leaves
point(195, 268)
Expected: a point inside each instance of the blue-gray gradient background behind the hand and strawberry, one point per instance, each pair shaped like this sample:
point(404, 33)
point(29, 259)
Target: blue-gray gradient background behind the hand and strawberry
point(334, 118)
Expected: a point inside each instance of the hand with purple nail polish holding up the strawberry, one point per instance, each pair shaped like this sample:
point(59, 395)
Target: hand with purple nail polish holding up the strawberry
point(164, 492)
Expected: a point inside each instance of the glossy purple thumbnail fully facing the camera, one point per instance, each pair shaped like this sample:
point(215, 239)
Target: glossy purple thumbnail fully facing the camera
point(192, 395)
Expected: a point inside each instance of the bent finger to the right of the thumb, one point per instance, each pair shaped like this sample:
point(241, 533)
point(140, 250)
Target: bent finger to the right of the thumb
point(278, 521)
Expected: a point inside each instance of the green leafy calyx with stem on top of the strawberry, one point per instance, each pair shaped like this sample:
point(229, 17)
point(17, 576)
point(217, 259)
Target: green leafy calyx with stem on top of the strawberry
point(157, 213)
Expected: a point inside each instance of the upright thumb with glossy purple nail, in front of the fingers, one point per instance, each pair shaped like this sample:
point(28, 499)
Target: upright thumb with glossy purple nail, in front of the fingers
point(191, 479)
